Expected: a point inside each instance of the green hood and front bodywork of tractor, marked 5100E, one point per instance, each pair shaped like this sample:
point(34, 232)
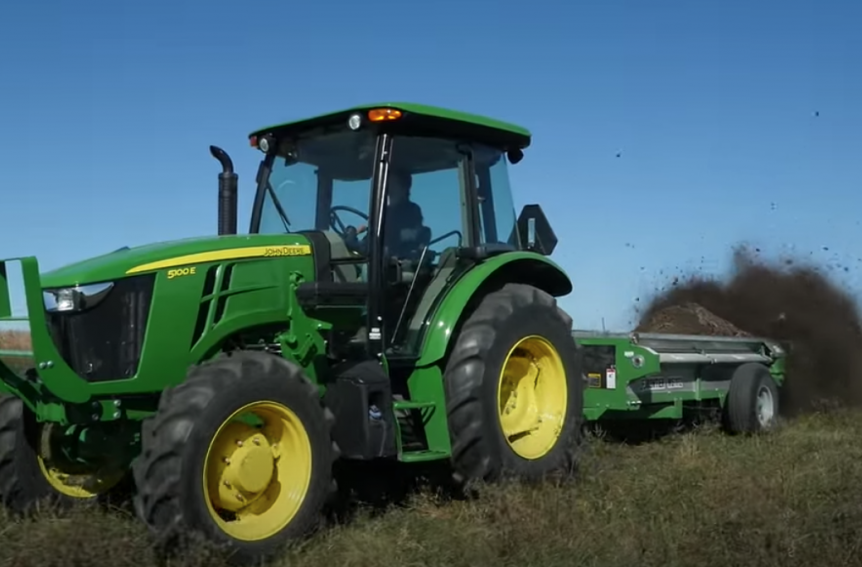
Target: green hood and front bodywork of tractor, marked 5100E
point(259, 296)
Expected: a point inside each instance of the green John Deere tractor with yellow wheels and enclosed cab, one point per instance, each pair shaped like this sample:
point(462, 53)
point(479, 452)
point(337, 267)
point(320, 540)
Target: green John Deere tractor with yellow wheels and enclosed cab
point(225, 375)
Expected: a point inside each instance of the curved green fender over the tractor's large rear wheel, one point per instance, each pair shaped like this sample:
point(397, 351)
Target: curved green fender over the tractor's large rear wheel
point(512, 267)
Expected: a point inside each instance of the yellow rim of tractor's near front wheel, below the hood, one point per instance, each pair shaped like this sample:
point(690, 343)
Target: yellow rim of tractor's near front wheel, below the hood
point(257, 471)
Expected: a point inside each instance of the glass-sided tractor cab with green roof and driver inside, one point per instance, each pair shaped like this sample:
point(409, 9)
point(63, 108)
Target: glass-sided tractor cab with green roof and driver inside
point(328, 177)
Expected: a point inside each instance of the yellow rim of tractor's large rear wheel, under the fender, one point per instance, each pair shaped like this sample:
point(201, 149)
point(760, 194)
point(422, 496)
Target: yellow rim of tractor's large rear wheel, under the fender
point(532, 397)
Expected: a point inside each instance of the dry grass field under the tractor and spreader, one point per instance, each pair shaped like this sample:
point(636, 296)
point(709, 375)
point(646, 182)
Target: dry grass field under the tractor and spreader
point(786, 499)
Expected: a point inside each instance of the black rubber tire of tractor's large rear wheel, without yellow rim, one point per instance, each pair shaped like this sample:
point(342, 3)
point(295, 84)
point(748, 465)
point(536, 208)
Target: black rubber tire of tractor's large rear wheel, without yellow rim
point(480, 450)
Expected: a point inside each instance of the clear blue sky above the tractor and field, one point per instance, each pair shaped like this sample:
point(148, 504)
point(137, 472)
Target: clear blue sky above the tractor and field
point(109, 108)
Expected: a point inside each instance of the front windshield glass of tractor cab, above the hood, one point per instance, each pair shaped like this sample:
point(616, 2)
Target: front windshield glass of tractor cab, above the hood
point(313, 174)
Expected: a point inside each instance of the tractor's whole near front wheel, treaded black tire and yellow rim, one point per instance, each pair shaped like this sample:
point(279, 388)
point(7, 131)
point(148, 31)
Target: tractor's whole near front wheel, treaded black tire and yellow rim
point(198, 461)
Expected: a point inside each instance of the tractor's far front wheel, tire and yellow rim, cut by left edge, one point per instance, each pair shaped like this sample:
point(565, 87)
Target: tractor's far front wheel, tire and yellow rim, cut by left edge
point(36, 467)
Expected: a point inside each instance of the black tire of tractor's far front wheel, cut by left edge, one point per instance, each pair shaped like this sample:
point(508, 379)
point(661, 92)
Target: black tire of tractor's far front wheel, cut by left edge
point(23, 485)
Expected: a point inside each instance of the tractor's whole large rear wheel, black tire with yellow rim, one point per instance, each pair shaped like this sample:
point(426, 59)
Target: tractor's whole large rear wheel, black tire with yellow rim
point(526, 317)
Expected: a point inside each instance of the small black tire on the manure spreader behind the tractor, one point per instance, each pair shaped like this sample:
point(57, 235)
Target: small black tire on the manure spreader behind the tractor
point(742, 414)
